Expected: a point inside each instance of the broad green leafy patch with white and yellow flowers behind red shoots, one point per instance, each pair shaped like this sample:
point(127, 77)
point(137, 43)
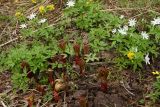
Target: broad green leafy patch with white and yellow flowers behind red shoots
point(85, 22)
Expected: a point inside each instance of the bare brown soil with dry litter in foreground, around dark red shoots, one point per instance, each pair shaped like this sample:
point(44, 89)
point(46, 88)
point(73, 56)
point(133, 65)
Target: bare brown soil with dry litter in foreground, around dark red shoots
point(126, 92)
